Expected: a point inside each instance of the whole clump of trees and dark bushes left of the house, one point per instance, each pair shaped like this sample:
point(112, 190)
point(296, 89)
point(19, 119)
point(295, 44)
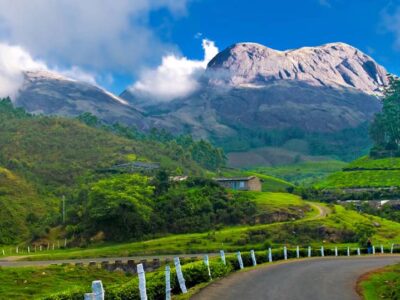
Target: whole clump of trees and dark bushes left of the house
point(128, 206)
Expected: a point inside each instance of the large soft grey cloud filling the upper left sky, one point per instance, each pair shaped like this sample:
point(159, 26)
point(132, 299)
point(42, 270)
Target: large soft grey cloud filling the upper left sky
point(102, 36)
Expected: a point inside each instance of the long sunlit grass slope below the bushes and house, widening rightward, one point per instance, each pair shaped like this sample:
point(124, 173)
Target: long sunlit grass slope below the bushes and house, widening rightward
point(338, 227)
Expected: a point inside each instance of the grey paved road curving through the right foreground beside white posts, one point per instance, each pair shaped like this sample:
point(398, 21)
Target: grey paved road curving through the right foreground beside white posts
point(312, 279)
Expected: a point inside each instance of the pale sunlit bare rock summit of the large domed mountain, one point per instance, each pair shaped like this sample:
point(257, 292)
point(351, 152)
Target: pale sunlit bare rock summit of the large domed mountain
point(331, 65)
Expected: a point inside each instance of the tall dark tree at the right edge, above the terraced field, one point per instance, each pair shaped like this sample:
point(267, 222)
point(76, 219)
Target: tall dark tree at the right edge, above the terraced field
point(385, 130)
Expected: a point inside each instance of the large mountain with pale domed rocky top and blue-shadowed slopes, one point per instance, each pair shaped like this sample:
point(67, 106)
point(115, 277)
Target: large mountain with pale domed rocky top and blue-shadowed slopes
point(310, 101)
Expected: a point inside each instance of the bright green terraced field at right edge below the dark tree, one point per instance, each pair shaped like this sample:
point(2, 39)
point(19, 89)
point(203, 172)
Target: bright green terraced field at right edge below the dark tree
point(365, 173)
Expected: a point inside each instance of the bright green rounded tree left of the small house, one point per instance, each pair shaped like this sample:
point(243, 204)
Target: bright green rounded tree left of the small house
point(120, 206)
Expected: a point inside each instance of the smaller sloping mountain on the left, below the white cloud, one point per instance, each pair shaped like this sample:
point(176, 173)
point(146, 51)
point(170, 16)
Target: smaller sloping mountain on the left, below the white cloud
point(49, 93)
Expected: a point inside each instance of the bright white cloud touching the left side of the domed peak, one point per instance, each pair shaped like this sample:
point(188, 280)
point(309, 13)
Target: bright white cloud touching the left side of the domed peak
point(176, 77)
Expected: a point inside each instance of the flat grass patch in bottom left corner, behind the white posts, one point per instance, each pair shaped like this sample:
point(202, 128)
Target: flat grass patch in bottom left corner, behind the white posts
point(37, 282)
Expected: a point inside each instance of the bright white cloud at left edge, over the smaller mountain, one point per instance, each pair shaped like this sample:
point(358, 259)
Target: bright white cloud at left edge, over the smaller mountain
point(14, 61)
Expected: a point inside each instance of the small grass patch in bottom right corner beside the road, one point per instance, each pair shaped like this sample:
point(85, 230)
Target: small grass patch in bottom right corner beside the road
point(383, 284)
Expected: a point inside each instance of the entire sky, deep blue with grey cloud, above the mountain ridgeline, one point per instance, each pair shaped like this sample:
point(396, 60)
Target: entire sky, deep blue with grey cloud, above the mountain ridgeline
point(115, 42)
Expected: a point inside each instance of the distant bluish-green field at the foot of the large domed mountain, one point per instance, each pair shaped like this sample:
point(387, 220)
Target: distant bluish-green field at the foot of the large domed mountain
point(303, 173)
